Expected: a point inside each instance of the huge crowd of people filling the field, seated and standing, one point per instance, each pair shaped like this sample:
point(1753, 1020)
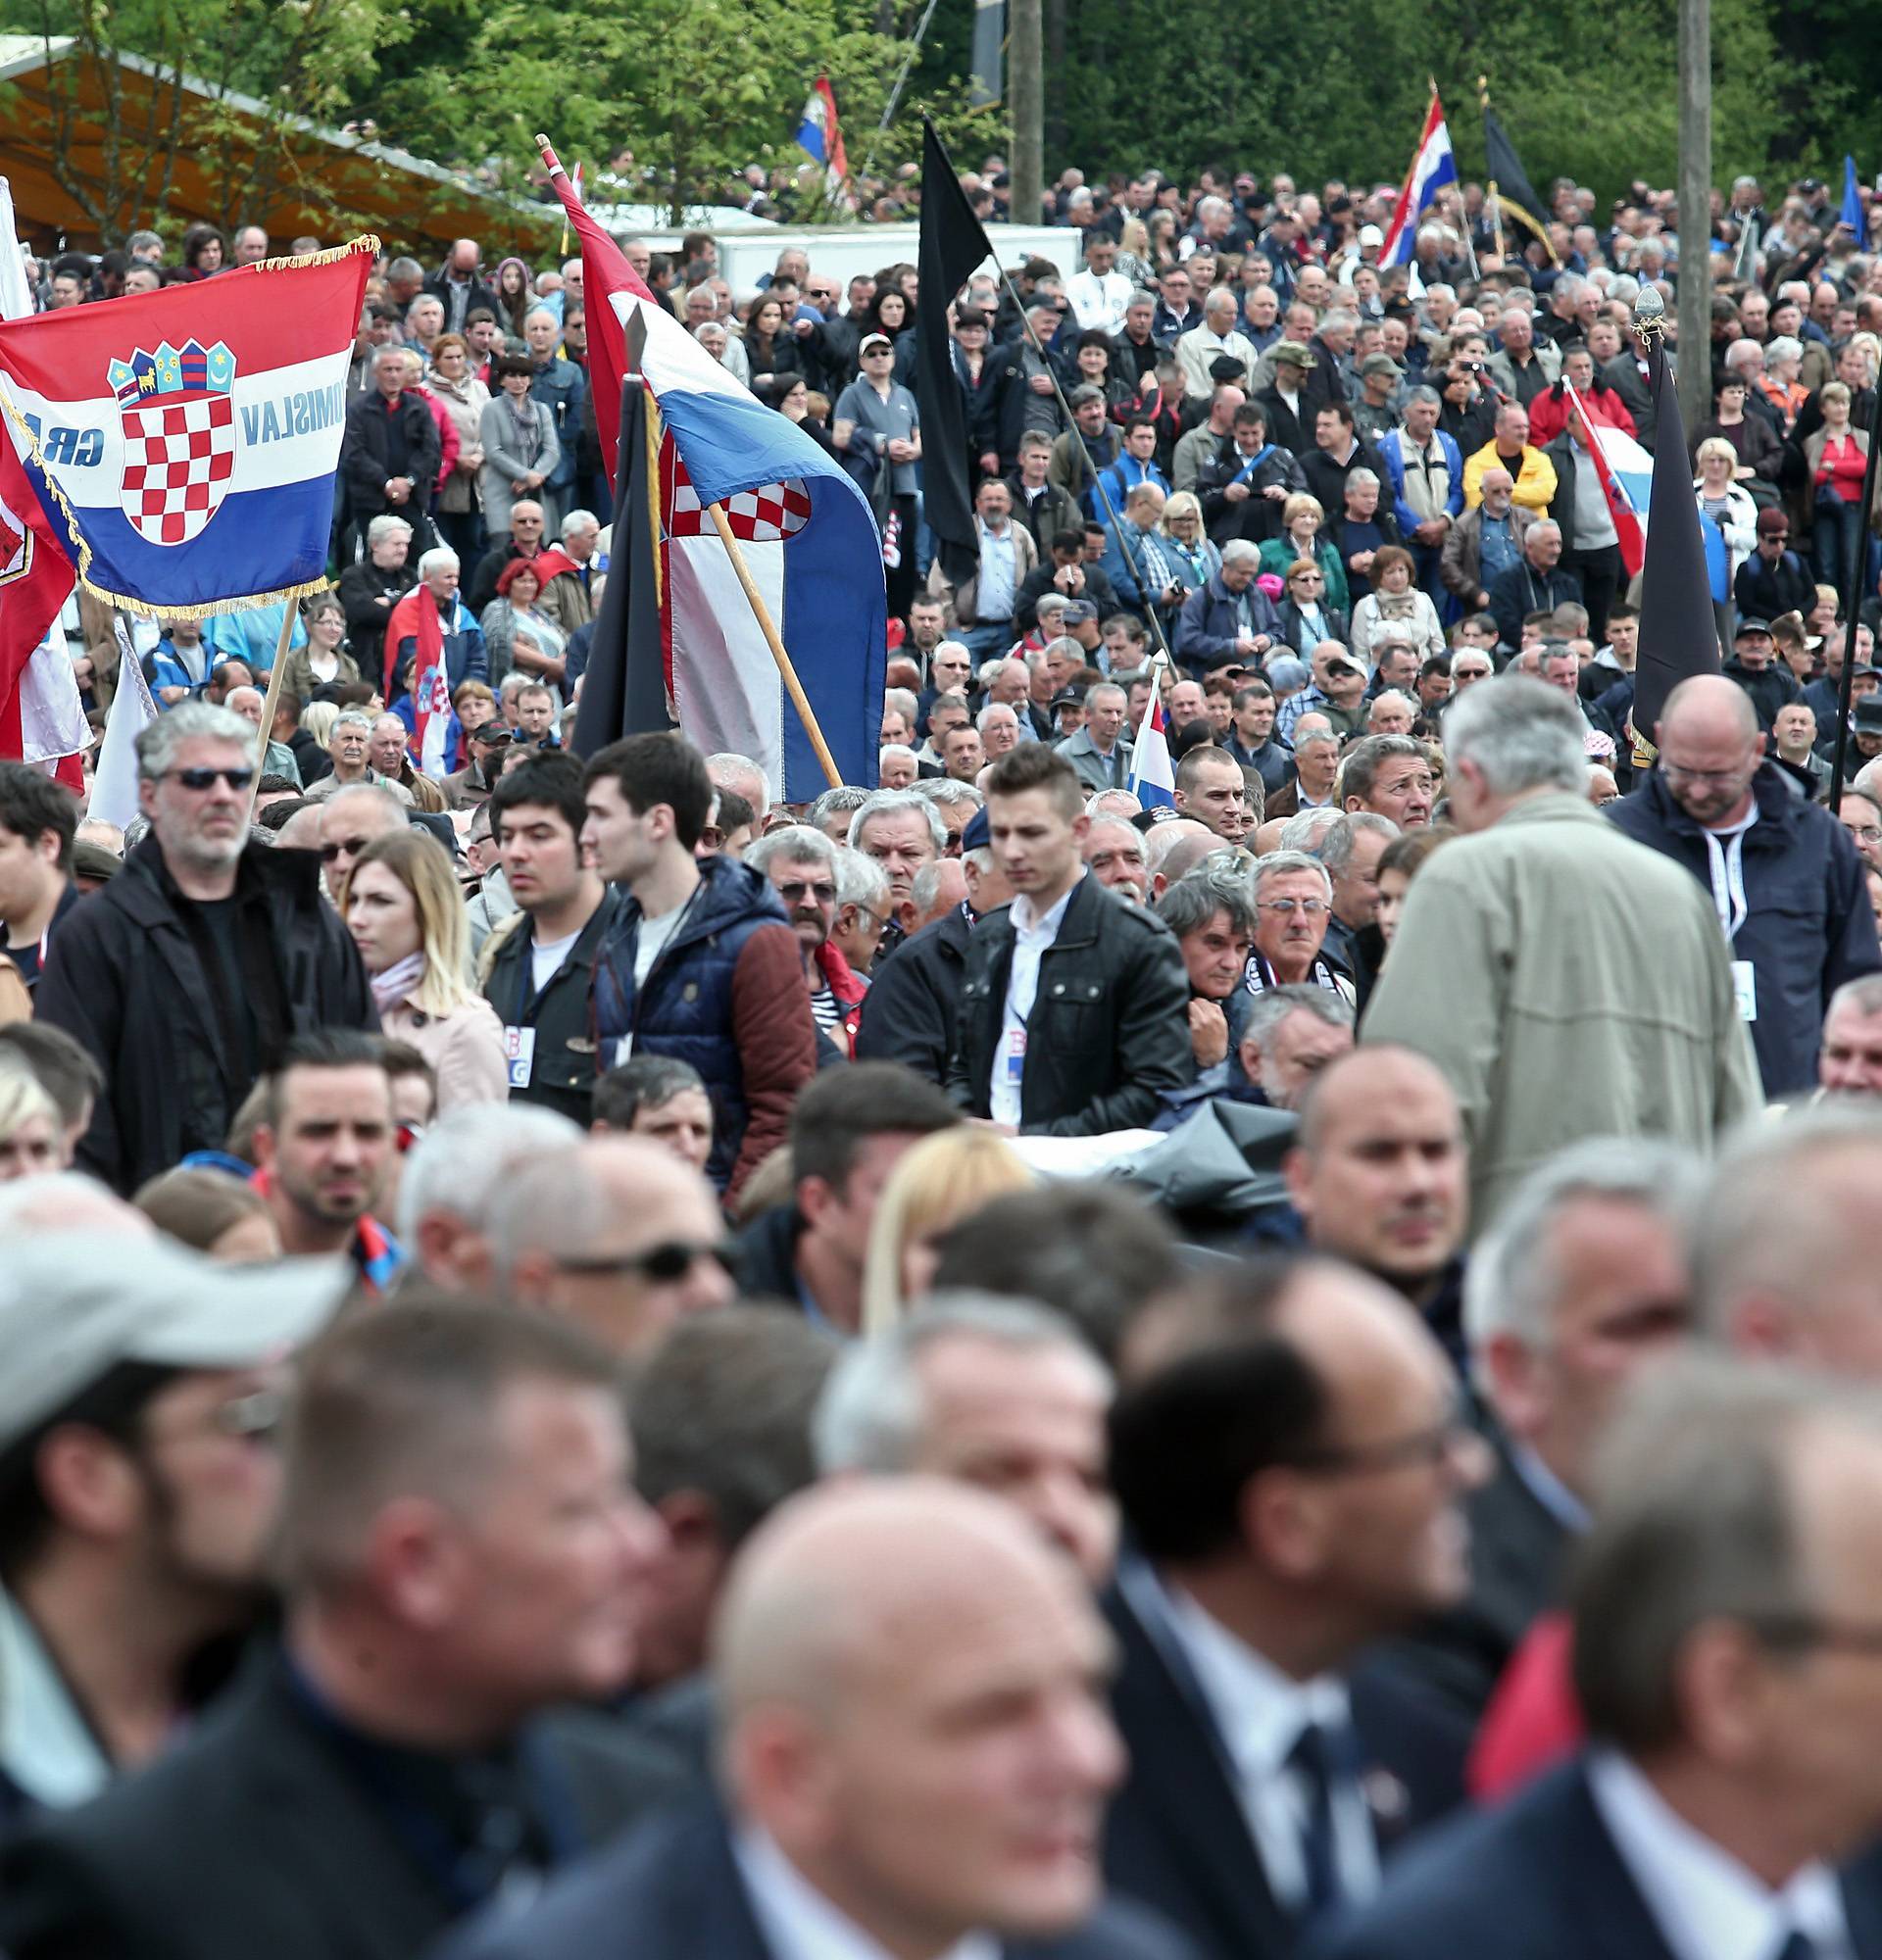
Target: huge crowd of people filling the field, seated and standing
point(1016, 1359)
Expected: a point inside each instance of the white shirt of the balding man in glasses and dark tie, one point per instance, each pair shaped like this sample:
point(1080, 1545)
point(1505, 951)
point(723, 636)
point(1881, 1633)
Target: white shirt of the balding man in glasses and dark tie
point(1260, 1716)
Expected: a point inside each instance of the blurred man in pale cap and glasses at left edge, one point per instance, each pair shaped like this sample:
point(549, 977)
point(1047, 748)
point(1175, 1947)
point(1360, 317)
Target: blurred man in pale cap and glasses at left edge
point(138, 1398)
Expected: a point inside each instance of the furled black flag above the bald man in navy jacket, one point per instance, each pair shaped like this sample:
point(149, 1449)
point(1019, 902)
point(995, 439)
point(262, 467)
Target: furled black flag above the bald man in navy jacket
point(1679, 632)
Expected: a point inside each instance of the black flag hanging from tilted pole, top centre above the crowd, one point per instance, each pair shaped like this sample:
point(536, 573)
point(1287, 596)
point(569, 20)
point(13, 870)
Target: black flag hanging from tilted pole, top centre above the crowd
point(954, 246)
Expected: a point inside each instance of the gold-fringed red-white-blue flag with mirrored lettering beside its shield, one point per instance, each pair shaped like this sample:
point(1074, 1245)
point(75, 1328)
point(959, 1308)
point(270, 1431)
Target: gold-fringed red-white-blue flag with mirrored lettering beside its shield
point(185, 442)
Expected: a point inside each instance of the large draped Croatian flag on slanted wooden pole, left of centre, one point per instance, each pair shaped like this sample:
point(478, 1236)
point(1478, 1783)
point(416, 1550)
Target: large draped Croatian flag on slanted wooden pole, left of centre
point(805, 530)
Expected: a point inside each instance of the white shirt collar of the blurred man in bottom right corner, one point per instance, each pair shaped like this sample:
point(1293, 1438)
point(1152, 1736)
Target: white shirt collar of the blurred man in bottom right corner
point(1703, 1900)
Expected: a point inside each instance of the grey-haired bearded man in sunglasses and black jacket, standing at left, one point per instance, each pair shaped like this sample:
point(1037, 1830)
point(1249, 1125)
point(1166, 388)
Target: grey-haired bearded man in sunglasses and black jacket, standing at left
point(199, 959)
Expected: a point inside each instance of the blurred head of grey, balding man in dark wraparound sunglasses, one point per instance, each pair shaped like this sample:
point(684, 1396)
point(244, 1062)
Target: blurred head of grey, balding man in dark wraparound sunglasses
point(619, 1236)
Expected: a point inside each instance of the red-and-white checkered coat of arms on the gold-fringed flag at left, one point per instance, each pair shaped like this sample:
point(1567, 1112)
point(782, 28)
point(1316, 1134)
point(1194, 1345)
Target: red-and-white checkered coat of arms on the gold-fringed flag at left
point(179, 438)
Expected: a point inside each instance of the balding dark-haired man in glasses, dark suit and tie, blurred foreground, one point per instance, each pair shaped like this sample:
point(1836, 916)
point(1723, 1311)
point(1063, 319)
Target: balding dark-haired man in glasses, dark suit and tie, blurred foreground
point(1291, 1477)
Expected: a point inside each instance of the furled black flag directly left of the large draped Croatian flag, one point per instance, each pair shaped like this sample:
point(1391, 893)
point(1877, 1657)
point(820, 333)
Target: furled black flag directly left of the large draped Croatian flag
point(624, 687)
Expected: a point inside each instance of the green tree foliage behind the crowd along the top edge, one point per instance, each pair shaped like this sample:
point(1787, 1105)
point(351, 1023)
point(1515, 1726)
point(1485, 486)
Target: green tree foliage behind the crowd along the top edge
point(699, 89)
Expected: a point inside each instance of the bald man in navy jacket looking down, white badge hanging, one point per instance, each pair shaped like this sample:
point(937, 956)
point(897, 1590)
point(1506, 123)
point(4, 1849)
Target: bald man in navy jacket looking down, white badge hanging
point(1785, 875)
